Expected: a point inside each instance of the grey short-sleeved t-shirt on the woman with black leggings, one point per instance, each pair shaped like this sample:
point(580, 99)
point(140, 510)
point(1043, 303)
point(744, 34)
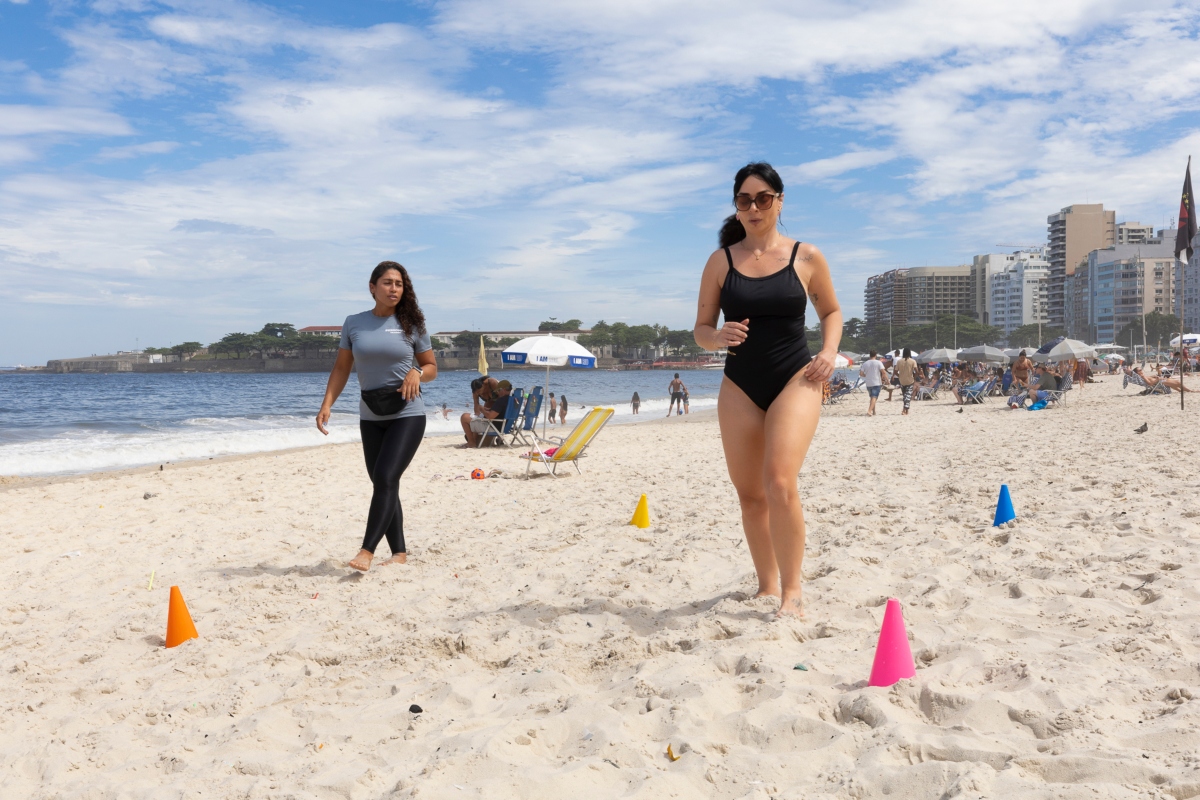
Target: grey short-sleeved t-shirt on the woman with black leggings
point(383, 356)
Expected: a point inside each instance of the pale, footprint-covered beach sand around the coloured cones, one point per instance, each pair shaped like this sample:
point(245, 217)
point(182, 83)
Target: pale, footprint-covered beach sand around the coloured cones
point(556, 652)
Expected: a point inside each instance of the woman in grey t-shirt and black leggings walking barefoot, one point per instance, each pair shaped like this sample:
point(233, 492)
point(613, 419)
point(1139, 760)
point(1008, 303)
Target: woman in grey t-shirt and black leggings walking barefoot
point(391, 350)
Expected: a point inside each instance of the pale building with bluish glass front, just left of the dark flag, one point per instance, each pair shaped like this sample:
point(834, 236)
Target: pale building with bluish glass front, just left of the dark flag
point(1129, 281)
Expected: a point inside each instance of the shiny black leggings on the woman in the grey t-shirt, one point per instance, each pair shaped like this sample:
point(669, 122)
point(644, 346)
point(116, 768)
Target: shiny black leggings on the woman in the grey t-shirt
point(389, 447)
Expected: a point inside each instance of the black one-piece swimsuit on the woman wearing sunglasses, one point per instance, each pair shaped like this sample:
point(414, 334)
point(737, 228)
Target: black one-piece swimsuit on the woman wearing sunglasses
point(776, 348)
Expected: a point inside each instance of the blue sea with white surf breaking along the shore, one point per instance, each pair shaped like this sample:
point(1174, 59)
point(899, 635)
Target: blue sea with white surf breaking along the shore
point(70, 424)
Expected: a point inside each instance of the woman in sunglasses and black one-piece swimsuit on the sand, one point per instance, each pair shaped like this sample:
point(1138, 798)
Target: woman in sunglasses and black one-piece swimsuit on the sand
point(771, 396)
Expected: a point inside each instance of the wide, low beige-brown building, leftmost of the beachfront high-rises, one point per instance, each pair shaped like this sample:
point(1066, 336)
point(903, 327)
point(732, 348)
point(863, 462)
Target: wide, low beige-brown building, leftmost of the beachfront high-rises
point(919, 296)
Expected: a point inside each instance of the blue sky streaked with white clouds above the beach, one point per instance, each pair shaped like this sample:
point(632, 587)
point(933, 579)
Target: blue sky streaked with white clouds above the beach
point(179, 171)
